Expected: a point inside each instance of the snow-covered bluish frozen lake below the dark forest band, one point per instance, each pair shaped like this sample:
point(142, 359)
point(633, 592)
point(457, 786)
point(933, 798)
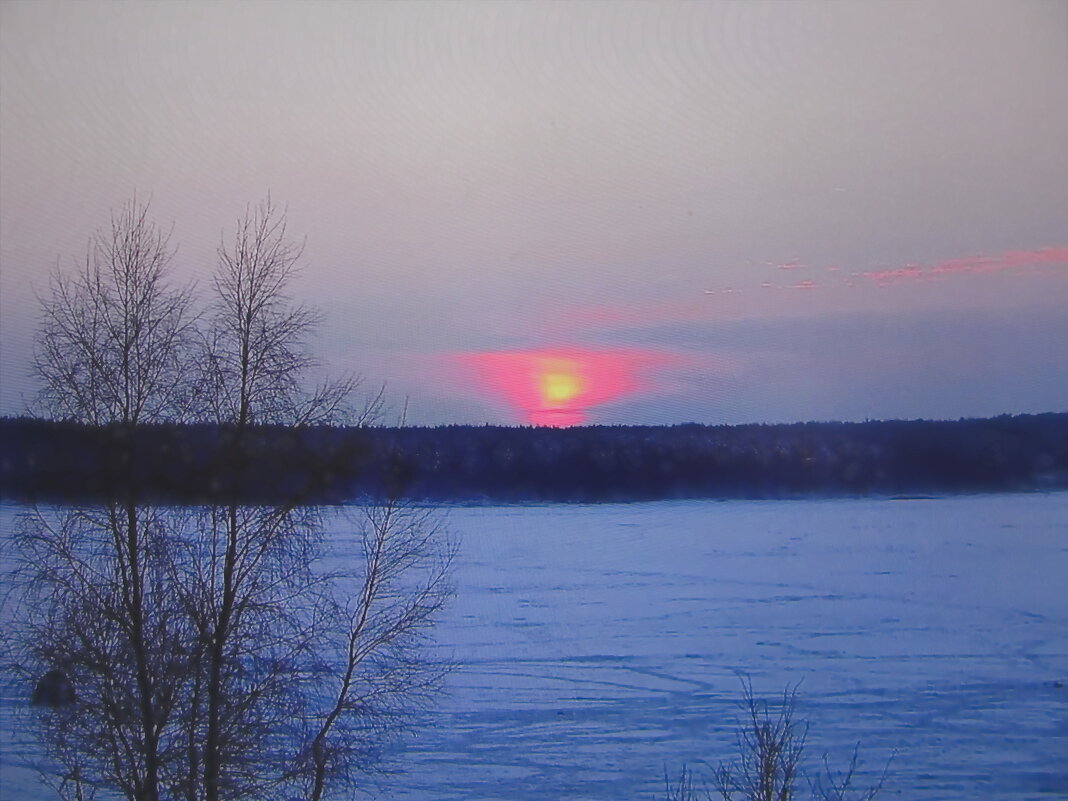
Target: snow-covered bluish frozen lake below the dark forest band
point(599, 646)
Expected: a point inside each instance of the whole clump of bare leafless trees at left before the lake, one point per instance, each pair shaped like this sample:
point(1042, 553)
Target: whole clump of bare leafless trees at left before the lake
point(213, 655)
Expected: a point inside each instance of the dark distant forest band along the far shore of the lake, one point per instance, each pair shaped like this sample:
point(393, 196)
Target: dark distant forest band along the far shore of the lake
point(198, 463)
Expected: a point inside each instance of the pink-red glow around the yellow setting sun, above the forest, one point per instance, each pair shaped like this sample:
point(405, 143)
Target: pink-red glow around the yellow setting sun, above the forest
point(557, 388)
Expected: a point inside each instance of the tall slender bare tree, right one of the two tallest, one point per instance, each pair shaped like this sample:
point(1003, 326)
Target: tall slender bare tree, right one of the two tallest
point(255, 362)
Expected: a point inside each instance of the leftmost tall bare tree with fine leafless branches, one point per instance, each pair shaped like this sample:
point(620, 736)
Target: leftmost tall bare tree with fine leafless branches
point(112, 351)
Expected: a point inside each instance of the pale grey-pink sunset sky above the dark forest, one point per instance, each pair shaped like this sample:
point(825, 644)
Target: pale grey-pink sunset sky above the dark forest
point(603, 213)
